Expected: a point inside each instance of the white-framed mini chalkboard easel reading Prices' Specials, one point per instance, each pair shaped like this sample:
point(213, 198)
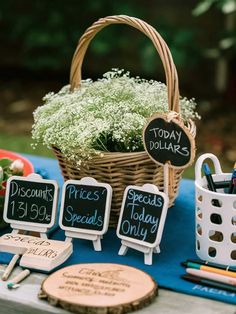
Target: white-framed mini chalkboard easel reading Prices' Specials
point(85, 210)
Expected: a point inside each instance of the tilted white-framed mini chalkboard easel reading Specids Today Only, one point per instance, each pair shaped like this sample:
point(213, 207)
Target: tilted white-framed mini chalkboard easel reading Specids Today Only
point(142, 220)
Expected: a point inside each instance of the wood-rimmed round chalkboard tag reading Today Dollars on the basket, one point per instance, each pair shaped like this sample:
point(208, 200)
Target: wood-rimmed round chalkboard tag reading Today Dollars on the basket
point(168, 142)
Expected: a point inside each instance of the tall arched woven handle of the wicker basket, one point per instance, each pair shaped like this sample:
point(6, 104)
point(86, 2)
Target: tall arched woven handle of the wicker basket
point(150, 32)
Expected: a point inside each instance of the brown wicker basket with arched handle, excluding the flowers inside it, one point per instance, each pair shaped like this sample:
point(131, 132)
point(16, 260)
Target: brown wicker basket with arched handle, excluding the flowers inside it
point(122, 169)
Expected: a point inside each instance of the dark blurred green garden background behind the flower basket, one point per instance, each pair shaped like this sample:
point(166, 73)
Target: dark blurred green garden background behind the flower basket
point(38, 39)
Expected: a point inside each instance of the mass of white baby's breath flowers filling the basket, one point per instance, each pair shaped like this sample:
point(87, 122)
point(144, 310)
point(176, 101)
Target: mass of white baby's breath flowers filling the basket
point(106, 115)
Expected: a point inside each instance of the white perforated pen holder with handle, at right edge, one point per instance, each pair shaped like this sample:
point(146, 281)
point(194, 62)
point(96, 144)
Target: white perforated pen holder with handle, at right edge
point(215, 216)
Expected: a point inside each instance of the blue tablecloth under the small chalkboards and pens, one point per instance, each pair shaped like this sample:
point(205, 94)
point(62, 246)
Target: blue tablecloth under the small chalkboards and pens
point(177, 245)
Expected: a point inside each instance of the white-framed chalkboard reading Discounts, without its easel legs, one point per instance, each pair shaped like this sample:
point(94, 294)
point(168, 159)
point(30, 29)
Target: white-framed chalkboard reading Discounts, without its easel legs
point(31, 201)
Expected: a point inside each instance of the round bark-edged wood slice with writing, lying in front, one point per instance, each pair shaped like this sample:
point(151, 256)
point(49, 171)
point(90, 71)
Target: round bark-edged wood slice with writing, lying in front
point(99, 288)
